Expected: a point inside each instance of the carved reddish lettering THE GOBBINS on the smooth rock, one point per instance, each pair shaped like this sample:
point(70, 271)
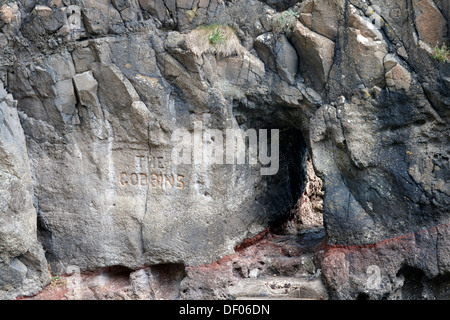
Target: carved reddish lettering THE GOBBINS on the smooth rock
point(148, 173)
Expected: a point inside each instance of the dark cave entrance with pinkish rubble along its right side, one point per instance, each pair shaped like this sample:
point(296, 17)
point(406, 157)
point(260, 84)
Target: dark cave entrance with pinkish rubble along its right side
point(305, 187)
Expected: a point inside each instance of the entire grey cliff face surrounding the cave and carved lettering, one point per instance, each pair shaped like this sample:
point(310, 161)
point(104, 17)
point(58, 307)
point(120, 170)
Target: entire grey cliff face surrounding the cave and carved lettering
point(95, 97)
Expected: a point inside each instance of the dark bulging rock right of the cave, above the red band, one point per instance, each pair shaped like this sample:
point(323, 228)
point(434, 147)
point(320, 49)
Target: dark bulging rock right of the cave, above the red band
point(356, 134)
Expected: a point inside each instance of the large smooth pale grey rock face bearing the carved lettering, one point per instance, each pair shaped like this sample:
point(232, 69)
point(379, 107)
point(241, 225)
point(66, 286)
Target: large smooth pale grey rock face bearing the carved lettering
point(126, 121)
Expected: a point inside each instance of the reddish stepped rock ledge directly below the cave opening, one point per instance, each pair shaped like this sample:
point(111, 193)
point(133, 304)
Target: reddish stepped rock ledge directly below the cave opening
point(282, 263)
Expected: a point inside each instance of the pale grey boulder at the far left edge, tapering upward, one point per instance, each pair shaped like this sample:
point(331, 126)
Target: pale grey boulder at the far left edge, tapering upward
point(23, 267)
